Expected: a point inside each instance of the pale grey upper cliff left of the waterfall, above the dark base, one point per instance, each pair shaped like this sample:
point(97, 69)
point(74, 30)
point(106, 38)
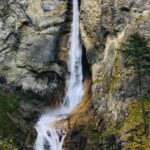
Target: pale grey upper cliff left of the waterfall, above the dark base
point(30, 31)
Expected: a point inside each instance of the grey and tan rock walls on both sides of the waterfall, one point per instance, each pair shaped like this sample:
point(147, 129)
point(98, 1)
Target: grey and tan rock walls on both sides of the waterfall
point(34, 43)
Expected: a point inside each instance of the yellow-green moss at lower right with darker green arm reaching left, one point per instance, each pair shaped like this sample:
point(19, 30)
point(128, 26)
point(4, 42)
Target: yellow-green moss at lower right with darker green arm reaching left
point(130, 129)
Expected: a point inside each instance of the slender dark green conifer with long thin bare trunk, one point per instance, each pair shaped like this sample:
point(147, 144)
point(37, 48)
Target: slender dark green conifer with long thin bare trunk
point(137, 54)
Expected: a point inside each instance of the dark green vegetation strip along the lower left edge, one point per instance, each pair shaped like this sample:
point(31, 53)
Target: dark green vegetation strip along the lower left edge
point(9, 103)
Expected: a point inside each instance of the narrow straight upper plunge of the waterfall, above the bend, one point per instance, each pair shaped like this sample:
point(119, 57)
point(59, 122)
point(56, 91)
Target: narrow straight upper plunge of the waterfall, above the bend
point(75, 85)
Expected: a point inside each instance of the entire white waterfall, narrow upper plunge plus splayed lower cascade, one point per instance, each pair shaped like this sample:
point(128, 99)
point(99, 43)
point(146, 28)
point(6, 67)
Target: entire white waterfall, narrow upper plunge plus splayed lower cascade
point(50, 133)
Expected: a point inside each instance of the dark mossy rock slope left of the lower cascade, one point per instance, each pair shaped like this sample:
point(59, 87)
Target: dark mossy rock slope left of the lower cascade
point(17, 117)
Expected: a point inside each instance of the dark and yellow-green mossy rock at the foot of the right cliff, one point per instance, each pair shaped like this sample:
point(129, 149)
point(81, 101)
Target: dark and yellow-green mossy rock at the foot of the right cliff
point(123, 133)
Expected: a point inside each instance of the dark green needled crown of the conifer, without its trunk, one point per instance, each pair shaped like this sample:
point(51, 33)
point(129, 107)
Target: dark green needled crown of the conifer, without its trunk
point(137, 51)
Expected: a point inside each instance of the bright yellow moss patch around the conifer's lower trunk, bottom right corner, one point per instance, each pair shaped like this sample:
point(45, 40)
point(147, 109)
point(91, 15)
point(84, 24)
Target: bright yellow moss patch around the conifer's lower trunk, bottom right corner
point(133, 126)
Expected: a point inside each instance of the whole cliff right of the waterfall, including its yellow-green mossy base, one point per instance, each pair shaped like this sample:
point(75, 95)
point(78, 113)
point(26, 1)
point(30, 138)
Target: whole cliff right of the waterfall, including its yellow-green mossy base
point(105, 25)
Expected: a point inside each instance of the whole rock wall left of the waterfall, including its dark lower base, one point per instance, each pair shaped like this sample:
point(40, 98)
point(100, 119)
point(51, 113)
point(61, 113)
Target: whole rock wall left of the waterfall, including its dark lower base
point(34, 37)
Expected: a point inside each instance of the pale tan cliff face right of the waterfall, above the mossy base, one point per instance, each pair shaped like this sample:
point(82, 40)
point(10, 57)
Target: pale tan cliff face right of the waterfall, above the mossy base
point(104, 27)
